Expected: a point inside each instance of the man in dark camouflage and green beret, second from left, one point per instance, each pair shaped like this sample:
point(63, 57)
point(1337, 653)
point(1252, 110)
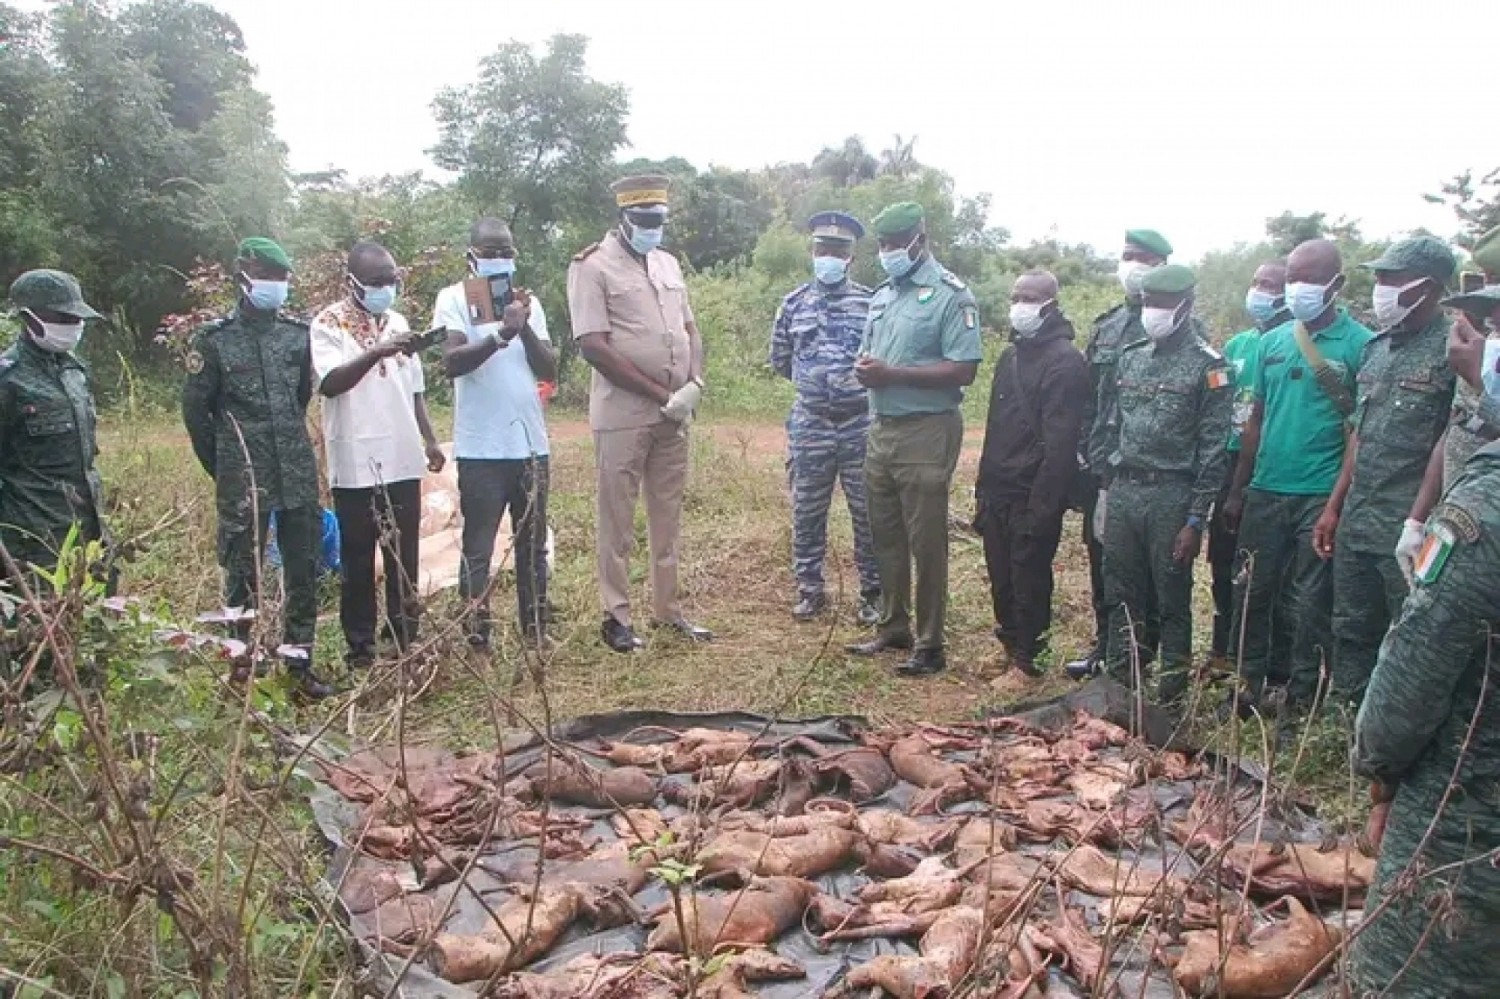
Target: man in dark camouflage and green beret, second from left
point(245, 404)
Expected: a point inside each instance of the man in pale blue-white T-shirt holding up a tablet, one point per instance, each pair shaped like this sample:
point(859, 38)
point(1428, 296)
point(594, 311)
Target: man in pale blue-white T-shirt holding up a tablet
point(500, 439)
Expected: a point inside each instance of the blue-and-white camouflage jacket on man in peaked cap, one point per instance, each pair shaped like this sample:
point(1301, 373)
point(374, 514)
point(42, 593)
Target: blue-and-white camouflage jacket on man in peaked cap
point(815, 343)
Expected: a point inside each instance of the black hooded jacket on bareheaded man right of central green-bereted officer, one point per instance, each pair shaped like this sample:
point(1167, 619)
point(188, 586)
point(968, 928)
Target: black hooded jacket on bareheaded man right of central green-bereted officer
point(1037, 406)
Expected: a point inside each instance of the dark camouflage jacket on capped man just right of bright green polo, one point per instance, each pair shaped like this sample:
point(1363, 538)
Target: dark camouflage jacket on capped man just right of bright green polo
point(1405, 397)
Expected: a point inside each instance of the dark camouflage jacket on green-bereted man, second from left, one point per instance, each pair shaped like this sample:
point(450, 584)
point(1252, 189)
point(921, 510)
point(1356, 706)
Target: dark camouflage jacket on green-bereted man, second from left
point(251, 377)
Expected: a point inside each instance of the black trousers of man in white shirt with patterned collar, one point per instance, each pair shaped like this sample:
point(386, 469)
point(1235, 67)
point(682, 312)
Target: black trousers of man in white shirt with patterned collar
point(391, 518)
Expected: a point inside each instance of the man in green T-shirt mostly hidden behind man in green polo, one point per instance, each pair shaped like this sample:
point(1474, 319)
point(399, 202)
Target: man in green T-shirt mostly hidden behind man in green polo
point(1267, 304)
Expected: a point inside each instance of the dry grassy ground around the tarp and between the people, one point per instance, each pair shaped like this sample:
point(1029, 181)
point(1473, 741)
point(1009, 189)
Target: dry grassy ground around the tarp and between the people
point(736, 578)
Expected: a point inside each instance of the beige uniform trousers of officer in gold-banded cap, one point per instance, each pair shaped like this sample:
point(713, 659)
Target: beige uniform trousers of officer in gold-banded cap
point(653, 457)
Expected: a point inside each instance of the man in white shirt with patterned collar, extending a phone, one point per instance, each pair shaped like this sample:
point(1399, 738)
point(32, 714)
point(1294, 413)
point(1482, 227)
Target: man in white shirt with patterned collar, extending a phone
point(379, 445)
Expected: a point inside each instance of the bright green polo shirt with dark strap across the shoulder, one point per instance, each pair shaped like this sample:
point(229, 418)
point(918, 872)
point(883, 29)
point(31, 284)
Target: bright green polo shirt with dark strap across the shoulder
point(1301, 433)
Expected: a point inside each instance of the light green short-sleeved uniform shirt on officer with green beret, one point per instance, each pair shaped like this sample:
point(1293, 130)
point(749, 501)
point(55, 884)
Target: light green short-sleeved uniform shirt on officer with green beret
point(923, 319)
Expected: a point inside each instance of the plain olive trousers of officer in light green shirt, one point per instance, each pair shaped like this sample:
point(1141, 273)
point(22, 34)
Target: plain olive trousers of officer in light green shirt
point(908, 472)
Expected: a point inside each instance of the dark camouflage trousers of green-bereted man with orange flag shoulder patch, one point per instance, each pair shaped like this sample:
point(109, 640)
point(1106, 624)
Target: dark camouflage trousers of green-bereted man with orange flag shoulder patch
point(1142, 523)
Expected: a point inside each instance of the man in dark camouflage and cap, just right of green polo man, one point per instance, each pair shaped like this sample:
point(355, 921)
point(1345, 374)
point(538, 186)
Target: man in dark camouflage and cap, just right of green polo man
point(1406, 392)
